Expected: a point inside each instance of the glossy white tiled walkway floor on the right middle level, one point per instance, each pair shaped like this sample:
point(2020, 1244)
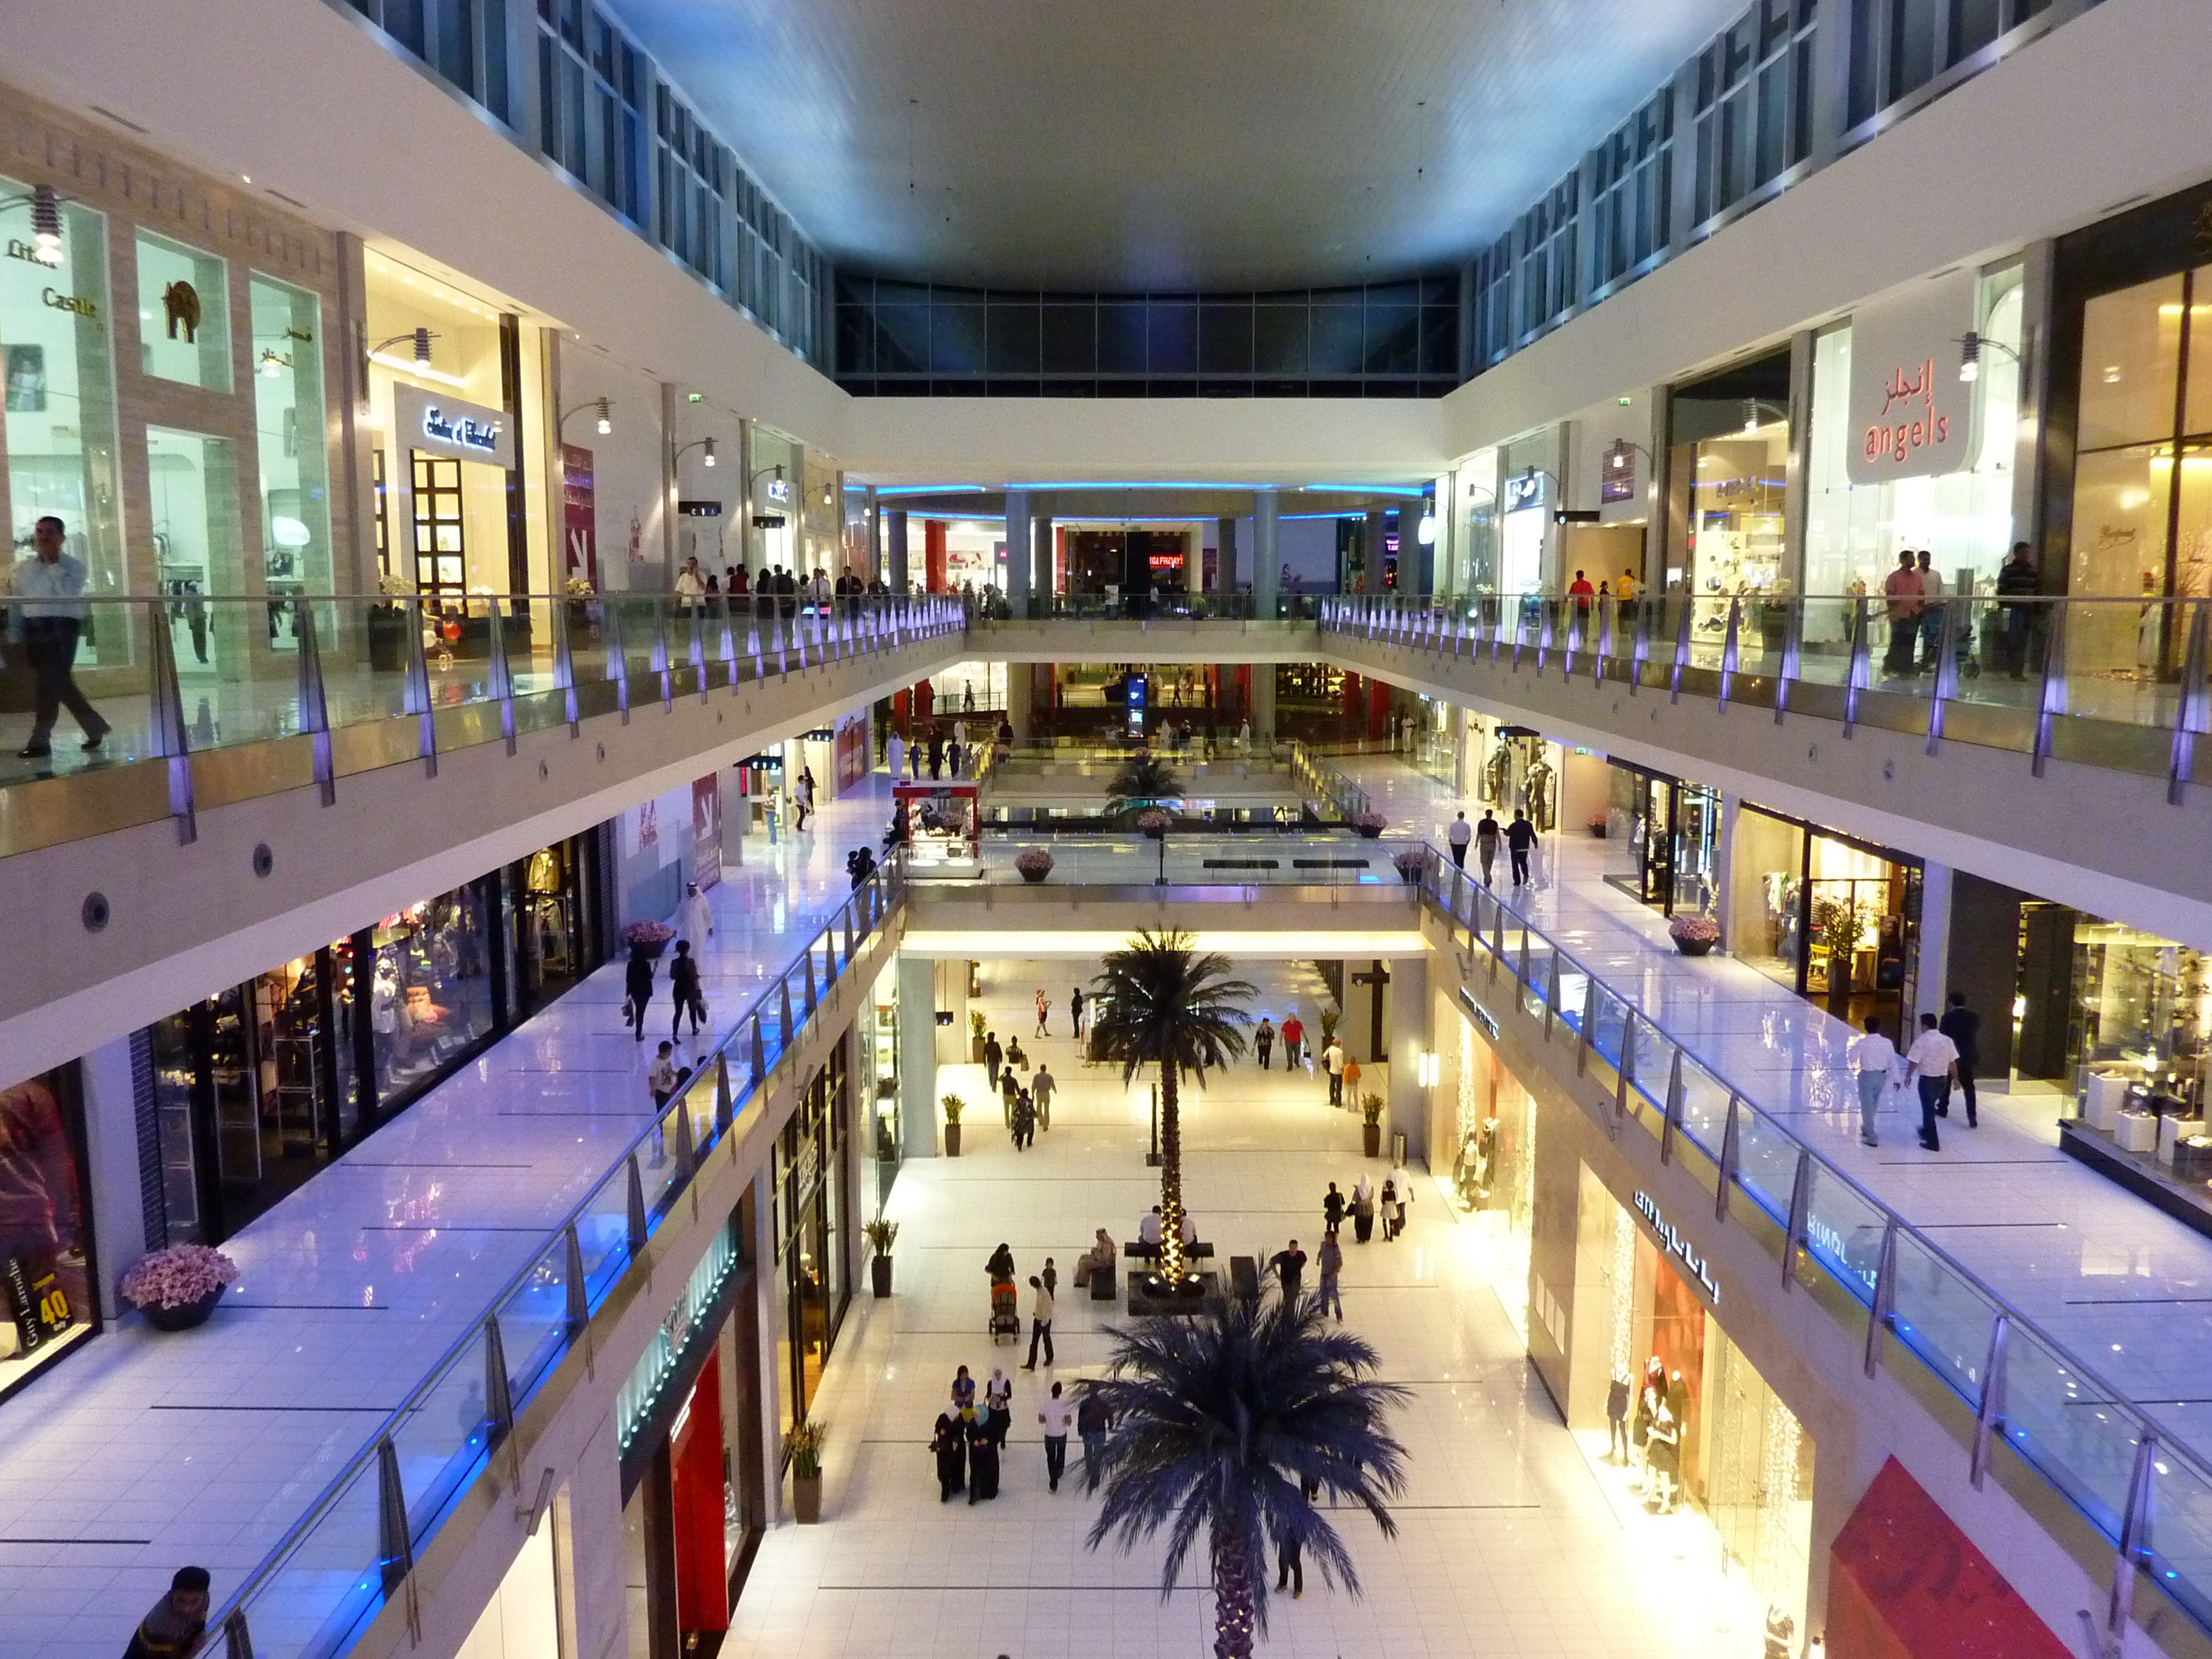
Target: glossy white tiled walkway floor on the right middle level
point(2127, 1288)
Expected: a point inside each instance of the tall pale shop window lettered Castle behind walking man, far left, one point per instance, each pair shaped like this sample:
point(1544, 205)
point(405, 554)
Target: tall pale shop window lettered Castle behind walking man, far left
point(59, 395)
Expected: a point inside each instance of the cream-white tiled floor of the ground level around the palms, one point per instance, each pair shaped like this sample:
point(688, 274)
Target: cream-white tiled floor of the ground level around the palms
point(1510, 1541)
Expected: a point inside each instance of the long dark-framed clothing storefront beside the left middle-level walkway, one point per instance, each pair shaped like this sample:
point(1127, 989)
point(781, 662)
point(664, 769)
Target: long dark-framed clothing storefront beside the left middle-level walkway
point(264, 1083)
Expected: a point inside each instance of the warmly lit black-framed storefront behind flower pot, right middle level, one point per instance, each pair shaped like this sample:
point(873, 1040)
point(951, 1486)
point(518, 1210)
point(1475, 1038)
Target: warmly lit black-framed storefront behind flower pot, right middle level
point(1826, 915)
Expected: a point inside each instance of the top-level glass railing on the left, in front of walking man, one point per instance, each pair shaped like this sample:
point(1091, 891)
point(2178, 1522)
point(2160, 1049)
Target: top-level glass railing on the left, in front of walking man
point(187, 676)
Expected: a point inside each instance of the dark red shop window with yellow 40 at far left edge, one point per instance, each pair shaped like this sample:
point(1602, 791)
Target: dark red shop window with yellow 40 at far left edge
point(45, 1227)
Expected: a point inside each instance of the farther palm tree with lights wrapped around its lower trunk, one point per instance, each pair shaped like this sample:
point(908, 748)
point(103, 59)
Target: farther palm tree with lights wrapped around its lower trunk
point(1176, 1010)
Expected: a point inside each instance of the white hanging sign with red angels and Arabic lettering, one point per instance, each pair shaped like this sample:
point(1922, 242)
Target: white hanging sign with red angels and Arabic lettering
point(1912, 417)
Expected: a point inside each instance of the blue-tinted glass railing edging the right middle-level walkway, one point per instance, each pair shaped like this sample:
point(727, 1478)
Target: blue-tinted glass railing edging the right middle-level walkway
point(1859, 1260)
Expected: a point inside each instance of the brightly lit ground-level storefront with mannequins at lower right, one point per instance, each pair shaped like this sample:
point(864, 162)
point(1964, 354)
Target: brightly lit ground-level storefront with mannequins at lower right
point(1682, 1432)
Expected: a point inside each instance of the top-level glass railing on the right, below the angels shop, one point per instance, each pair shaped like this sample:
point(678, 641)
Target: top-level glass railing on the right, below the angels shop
point(2030, 660)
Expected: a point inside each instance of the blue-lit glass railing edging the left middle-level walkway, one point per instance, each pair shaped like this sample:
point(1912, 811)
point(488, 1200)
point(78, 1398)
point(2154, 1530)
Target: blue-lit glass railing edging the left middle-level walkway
point(351, 1554)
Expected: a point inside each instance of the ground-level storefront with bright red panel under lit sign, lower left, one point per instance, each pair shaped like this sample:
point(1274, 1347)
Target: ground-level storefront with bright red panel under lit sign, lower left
point(689, 1428)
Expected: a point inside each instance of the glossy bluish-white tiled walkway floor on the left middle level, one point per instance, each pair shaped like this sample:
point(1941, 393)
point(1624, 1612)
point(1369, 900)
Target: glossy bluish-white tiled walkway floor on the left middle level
point(147, 1452)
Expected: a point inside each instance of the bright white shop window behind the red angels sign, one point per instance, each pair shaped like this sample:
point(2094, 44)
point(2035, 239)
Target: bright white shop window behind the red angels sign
point(1965, 519)
